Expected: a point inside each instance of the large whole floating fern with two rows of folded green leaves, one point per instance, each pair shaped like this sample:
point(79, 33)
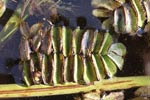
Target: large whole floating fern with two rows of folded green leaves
point(60, 54)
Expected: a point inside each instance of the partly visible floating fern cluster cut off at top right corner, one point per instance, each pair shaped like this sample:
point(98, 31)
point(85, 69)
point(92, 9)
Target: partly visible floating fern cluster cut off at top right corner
point(125, 16)
